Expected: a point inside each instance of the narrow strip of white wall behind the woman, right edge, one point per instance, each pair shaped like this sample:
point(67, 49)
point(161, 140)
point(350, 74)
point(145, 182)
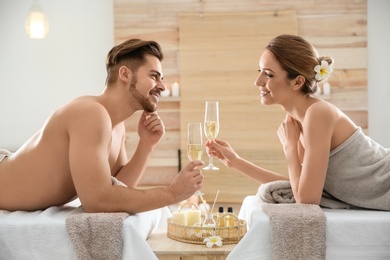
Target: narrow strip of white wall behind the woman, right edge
point(378, 71)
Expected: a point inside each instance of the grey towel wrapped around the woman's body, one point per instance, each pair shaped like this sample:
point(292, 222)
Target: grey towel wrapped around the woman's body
point(359, 172)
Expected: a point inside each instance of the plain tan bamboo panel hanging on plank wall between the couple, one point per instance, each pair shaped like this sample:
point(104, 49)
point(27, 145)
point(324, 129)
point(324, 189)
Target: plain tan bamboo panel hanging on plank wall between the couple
point(217, 64)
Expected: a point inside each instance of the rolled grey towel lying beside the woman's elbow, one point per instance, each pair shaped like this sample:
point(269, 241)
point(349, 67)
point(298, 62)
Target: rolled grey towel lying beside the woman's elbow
point(276, 192)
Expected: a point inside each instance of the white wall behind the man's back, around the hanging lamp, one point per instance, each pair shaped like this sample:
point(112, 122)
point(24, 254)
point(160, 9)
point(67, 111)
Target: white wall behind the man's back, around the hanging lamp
point(37, 76)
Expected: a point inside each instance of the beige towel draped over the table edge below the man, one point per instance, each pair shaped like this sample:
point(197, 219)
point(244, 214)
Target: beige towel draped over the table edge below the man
point(96, 235)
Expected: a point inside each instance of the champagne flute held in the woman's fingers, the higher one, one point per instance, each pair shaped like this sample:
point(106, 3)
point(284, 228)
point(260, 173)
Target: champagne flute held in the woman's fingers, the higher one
point(211, 127)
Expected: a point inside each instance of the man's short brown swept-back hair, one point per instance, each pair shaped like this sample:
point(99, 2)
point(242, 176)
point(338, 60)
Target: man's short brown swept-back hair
point(130, 53)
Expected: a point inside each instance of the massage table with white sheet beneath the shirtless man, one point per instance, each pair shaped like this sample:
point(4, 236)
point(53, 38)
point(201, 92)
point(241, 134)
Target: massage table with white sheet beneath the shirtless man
point(43, 235)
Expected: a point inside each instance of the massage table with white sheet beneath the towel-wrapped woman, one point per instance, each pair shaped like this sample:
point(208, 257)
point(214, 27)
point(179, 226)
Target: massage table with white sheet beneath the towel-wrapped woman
point(351, 234)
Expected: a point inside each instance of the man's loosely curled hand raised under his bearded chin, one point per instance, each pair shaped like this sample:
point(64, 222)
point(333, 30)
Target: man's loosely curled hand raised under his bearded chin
point(150, 128)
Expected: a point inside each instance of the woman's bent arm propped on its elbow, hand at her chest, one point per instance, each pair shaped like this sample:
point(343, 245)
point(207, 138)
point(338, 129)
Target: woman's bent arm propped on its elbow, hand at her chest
point(307, 179)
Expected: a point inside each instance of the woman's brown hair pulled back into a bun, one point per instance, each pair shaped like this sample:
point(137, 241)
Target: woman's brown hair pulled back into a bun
point(298, 57)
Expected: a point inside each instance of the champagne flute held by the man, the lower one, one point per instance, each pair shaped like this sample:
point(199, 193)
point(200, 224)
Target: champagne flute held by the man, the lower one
point(195, 146)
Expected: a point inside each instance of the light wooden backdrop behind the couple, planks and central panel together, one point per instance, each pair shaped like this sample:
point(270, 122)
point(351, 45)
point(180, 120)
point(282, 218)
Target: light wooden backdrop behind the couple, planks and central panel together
point(336, 28)
